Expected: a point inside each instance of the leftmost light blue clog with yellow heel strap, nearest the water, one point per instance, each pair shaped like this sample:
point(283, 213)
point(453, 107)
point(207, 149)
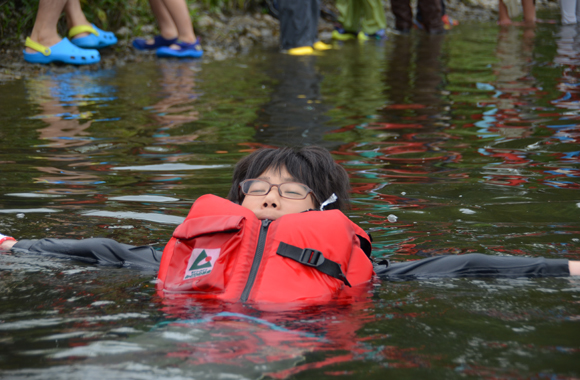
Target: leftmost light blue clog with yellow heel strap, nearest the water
point(64, 51)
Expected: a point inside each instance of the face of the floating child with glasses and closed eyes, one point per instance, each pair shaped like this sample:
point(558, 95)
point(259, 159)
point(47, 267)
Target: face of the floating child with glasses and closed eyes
point(272, 205)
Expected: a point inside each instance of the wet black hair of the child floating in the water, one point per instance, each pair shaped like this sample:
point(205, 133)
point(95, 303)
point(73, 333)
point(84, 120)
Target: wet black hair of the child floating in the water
point(311, 165)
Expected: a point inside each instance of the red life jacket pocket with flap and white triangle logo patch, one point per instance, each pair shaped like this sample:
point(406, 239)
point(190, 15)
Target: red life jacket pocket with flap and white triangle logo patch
point(204, 250)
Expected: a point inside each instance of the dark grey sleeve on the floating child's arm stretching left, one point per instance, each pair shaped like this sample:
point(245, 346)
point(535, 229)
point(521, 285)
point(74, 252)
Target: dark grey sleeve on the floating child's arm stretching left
point(98, 250)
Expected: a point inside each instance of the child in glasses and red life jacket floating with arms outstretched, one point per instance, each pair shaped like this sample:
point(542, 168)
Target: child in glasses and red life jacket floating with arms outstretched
point(281, 228)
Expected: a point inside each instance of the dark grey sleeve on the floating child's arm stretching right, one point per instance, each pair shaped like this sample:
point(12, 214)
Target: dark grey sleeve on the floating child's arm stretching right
point(473, 265)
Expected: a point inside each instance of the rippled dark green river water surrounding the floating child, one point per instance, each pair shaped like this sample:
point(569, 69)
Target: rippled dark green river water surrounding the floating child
point(454, 144)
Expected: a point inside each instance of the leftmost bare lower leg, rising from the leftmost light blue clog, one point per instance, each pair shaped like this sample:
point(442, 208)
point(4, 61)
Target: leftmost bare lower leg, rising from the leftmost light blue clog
point(44, 30)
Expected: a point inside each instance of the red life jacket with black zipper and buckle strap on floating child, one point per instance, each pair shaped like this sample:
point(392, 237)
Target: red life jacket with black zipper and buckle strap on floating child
point(223, 251)
